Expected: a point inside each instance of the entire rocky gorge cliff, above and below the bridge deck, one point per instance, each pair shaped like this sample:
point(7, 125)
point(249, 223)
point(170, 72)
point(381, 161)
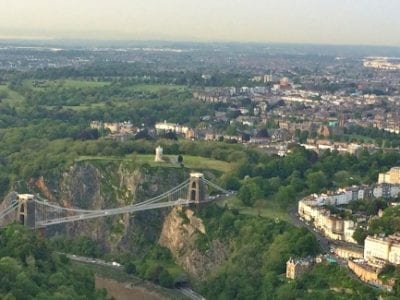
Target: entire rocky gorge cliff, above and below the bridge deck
point(97, 185)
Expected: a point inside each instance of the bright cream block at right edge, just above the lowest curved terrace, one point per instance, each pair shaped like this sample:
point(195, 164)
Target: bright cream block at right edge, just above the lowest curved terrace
point(386, 249)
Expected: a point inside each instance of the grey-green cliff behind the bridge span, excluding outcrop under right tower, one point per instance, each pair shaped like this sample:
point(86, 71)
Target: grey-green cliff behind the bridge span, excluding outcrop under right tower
point(90, 185)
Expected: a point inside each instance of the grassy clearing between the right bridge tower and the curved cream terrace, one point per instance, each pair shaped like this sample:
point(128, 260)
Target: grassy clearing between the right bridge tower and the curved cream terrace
point(263, 208)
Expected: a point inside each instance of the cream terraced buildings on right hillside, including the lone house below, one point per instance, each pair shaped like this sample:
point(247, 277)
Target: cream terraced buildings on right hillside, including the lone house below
point(379, 250)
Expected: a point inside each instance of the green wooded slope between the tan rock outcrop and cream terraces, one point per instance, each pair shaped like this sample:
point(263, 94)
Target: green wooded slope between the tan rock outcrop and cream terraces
point(257, 262)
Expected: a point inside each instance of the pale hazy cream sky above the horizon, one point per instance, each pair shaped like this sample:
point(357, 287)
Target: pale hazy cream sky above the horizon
point(367, 22)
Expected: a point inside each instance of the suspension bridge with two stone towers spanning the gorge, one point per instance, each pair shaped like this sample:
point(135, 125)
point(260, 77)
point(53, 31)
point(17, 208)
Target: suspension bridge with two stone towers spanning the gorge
point(36, 212)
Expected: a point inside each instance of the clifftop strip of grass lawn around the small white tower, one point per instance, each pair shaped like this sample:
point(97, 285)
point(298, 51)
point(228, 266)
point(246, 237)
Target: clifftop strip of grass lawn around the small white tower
point(190, 162)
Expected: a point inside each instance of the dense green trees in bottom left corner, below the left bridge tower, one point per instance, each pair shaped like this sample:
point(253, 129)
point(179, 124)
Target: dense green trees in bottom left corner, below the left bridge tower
point(29, 270)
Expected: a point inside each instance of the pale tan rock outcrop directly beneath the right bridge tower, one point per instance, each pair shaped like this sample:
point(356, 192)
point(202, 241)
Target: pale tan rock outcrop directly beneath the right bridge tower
point(180, 231)
